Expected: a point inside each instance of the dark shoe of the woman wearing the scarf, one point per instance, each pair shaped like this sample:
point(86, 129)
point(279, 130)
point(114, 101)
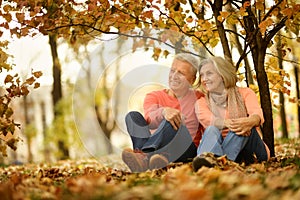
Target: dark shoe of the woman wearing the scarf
point(207, 160)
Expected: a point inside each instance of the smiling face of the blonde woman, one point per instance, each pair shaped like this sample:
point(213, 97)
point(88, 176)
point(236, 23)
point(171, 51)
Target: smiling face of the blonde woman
point(211, 80)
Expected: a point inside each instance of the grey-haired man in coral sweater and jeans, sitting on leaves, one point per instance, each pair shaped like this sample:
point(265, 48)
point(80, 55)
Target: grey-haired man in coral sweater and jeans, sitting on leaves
point(169, 131)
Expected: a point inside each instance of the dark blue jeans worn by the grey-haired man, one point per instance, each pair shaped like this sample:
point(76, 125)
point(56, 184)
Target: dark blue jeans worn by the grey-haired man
point(176, 145)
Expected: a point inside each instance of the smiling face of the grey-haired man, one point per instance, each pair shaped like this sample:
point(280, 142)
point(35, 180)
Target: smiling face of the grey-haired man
point(181, 75)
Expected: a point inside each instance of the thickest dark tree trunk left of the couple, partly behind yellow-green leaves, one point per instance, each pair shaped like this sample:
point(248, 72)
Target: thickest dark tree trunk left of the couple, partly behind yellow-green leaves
point(57, 88)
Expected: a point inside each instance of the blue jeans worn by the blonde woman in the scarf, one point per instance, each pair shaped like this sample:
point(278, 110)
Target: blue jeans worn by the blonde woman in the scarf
point(236, 147)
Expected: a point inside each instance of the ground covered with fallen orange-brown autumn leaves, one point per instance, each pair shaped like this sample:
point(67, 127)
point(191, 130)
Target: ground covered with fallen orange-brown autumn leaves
point(110, 179)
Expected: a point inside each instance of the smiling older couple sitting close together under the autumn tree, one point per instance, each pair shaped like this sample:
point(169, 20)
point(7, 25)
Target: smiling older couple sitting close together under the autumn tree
point(174, 118)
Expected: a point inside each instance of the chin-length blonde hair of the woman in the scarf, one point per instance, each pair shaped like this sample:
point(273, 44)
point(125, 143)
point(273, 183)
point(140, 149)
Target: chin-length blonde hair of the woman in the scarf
point(224, 68)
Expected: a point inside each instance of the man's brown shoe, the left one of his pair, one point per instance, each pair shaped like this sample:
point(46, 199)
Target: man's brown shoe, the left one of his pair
point(137, 161)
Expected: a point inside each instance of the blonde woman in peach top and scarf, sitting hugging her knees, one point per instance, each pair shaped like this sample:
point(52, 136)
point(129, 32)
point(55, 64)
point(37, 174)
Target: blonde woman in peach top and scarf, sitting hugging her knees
point(231, 116)
